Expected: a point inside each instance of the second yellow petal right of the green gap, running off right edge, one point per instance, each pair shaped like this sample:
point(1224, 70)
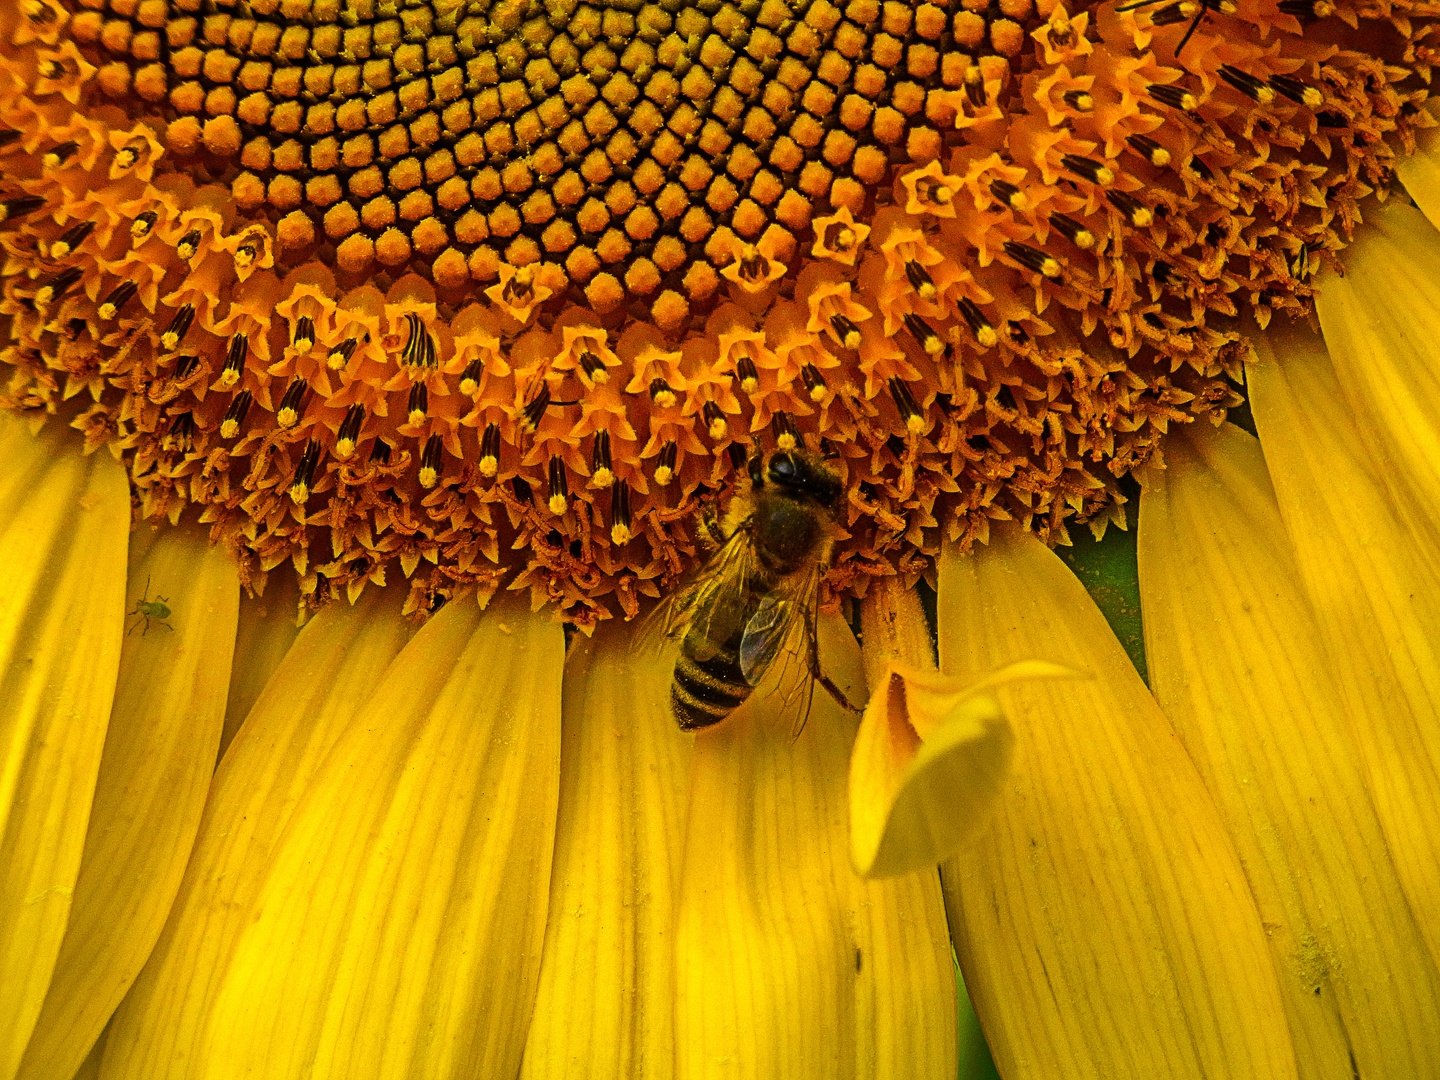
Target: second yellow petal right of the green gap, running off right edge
point(1376, 594)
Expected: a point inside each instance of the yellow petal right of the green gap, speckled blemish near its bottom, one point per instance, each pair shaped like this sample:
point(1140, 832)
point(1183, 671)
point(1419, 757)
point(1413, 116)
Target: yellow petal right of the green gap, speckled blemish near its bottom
point(1236, 663)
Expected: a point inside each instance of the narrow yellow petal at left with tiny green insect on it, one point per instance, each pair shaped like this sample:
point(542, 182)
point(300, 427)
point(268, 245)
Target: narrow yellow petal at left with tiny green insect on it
point(155, 774)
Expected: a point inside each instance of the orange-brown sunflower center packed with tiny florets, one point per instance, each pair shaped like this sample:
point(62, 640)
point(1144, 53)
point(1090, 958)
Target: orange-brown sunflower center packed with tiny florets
point(512, 290)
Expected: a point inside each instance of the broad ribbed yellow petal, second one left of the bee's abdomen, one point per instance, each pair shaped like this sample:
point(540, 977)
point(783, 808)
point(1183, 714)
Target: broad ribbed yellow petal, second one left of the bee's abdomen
point(398, 930)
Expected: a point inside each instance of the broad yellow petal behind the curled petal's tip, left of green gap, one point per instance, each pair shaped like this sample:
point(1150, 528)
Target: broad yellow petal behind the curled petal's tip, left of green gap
point(1102, 919)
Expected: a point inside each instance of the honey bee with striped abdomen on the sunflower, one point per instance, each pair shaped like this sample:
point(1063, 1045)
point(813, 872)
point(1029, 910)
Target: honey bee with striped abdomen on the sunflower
point(758, 595)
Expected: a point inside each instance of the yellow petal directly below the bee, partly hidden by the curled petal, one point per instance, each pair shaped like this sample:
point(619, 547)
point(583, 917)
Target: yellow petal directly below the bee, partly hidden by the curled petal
point(788, 964)
